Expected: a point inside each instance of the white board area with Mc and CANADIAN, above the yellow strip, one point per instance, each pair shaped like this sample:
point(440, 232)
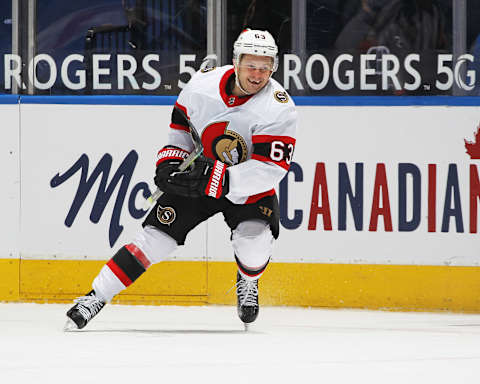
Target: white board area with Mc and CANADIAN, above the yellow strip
point(393, 152)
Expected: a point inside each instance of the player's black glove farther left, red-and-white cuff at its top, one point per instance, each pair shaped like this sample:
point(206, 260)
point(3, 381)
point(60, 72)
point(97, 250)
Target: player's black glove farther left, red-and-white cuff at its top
point(168, 160)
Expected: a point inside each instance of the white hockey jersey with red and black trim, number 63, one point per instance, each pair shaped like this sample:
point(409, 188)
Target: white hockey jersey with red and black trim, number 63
point(254, 135)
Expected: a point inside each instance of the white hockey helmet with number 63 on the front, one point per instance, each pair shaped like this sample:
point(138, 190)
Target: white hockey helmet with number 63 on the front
point(256, 42)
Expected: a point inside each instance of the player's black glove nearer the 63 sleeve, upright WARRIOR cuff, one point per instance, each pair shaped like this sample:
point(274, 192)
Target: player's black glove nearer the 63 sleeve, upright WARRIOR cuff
point(207, 177)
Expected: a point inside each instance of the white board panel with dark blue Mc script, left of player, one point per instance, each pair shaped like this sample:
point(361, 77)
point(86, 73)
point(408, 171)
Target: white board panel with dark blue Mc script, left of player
point(54, 139)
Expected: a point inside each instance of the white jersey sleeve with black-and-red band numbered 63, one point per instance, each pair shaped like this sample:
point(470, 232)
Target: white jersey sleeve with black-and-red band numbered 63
point(273, 145)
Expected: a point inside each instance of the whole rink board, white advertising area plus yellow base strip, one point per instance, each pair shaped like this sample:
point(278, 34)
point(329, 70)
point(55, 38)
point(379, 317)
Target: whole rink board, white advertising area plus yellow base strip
point(380, 209)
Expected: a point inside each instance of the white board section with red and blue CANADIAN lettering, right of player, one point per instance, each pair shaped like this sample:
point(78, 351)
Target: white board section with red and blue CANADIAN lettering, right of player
point(397, 137)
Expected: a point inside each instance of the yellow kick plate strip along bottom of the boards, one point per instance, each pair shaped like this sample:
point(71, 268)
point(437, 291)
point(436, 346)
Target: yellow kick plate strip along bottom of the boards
point(404, 287)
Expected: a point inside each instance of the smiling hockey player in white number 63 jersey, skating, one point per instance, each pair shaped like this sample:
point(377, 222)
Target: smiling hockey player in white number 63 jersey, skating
point(247, 123)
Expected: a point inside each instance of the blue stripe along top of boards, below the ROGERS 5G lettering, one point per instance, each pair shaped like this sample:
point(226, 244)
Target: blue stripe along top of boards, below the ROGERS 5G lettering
point(469, 101)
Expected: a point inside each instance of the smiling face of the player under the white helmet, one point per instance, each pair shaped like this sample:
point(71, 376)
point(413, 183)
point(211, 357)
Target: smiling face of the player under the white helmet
point(253, 72)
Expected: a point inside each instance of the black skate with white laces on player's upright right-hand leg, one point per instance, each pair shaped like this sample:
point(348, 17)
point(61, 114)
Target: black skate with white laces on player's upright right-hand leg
point(247, 299)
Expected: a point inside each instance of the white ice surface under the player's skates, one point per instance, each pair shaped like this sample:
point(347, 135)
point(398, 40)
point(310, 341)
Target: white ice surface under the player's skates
point(148, 344)
